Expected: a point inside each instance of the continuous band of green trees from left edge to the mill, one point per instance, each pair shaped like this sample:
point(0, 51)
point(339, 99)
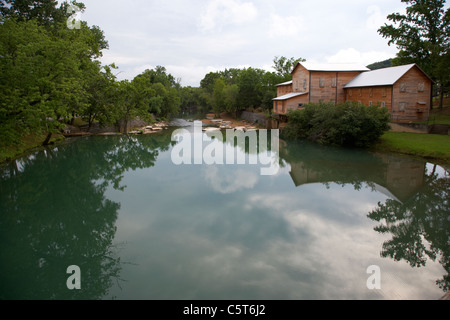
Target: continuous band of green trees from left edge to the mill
point(52, 75)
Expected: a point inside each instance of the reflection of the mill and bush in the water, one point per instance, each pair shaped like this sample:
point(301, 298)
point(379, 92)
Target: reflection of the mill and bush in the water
point(400, 177)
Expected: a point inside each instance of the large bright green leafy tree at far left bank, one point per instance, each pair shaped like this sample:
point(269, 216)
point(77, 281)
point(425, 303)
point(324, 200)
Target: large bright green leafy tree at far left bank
point(43, 76)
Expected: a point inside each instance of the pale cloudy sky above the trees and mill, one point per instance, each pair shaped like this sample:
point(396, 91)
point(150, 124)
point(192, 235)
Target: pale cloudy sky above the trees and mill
point(192, 38)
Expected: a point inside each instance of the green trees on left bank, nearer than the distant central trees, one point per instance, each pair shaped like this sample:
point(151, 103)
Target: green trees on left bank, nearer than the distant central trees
point(51, 74)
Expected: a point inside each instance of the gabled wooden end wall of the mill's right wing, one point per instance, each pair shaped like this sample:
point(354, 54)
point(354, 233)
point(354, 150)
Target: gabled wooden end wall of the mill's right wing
point(412, 97)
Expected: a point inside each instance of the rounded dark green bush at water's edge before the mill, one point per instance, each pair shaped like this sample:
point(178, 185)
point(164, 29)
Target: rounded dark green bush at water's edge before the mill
point(347, 124)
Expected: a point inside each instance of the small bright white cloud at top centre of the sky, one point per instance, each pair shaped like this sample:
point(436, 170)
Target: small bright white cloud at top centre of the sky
point(220, 13)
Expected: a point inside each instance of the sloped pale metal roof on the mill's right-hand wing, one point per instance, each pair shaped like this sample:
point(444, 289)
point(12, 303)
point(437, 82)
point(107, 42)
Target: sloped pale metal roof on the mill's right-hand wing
point(380, 77)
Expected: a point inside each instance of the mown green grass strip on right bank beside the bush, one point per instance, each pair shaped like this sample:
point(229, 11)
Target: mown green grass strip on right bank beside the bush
point(428, 146)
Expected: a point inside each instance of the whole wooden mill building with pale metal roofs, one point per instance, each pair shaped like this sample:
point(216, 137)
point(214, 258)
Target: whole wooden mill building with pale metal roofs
point(404, 90)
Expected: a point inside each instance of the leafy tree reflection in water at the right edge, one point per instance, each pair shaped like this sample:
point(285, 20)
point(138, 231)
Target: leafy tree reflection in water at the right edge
point(420, 226)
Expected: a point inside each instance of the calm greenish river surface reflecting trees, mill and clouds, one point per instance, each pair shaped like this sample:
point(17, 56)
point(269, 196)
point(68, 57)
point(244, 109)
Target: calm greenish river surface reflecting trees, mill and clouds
point(140, 227)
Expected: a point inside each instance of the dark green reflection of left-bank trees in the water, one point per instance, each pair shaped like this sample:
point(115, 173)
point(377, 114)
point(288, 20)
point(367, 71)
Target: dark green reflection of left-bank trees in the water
point(55, 214)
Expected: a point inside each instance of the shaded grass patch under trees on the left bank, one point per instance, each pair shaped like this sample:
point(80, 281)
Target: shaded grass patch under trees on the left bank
point(28, 142)
